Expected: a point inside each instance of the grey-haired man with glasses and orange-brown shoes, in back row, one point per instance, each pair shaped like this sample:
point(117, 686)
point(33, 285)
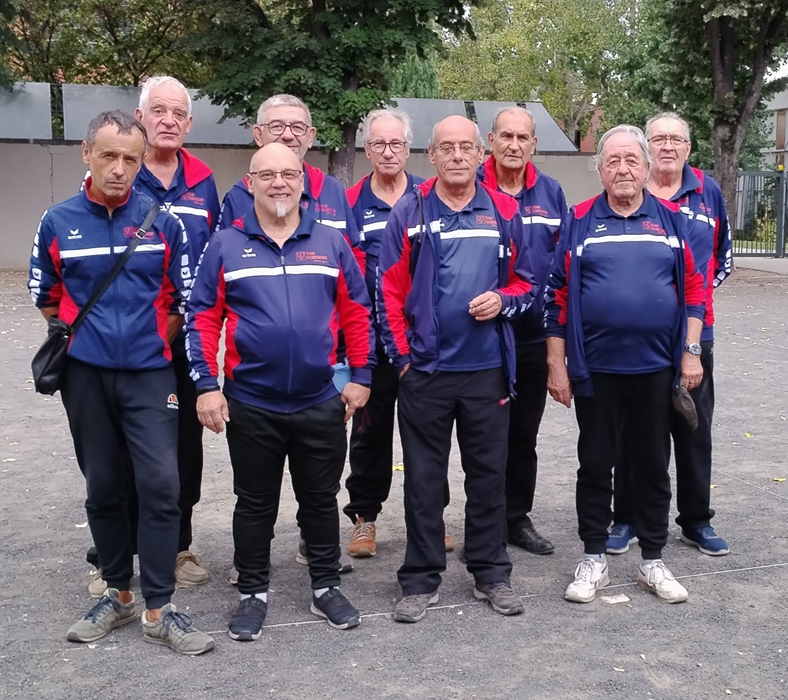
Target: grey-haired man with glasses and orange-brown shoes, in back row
point(387, 134)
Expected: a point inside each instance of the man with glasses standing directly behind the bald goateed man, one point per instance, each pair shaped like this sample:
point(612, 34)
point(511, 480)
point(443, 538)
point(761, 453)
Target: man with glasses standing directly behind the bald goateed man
point(287, 120)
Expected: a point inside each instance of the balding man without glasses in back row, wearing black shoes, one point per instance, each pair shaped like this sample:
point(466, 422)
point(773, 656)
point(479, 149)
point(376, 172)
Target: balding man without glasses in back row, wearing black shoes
point(542, 205)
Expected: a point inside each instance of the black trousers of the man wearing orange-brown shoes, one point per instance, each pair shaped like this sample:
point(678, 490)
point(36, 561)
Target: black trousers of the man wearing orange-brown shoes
point(371, 447)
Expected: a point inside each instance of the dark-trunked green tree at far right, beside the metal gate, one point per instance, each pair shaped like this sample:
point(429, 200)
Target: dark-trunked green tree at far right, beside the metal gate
point(707, 60)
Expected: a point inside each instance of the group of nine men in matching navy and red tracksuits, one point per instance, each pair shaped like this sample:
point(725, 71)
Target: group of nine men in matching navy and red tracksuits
point(456, 300)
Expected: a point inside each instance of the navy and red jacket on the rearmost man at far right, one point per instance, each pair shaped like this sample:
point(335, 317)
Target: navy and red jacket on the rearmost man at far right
point(700, 200)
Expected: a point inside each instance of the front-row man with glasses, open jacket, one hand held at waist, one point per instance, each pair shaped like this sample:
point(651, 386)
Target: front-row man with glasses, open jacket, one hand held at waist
point(454, 267)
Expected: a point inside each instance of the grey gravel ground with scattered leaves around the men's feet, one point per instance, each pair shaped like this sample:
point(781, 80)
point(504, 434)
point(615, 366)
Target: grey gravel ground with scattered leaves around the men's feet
point(728, 640)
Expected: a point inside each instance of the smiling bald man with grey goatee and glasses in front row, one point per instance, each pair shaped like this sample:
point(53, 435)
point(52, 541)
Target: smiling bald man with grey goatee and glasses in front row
point(277, 277)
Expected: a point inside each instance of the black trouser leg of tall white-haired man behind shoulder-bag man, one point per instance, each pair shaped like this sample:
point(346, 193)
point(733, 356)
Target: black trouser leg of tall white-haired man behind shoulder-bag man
point(190, 456)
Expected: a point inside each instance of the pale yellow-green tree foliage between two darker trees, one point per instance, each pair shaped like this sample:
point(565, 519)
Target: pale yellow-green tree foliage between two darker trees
point(561, 52)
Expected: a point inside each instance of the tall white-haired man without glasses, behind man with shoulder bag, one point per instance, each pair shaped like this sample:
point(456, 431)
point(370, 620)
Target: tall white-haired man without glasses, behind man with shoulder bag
point(183, 185)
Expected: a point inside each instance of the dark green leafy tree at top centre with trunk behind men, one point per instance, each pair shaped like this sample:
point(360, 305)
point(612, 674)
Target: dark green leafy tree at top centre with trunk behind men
point(336, 55)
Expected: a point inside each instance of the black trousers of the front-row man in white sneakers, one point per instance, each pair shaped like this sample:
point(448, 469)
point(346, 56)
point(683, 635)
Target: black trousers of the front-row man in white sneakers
point(645, 401)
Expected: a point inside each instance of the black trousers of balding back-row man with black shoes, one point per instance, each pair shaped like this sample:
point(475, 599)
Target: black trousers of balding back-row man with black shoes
point(525, 415)
